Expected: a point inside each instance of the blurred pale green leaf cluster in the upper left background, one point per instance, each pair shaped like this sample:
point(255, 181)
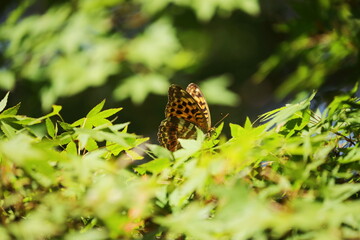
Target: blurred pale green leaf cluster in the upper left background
point(71, 47)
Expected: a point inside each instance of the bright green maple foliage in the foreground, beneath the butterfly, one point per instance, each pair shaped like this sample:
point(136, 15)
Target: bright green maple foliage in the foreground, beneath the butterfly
point(295, 176)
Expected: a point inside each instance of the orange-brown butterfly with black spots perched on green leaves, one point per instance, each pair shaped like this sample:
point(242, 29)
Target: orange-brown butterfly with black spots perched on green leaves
point(184, 111)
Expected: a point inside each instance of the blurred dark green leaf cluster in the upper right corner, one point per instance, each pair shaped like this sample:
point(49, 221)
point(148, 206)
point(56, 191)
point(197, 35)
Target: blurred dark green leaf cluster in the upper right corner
point(323, 41)
